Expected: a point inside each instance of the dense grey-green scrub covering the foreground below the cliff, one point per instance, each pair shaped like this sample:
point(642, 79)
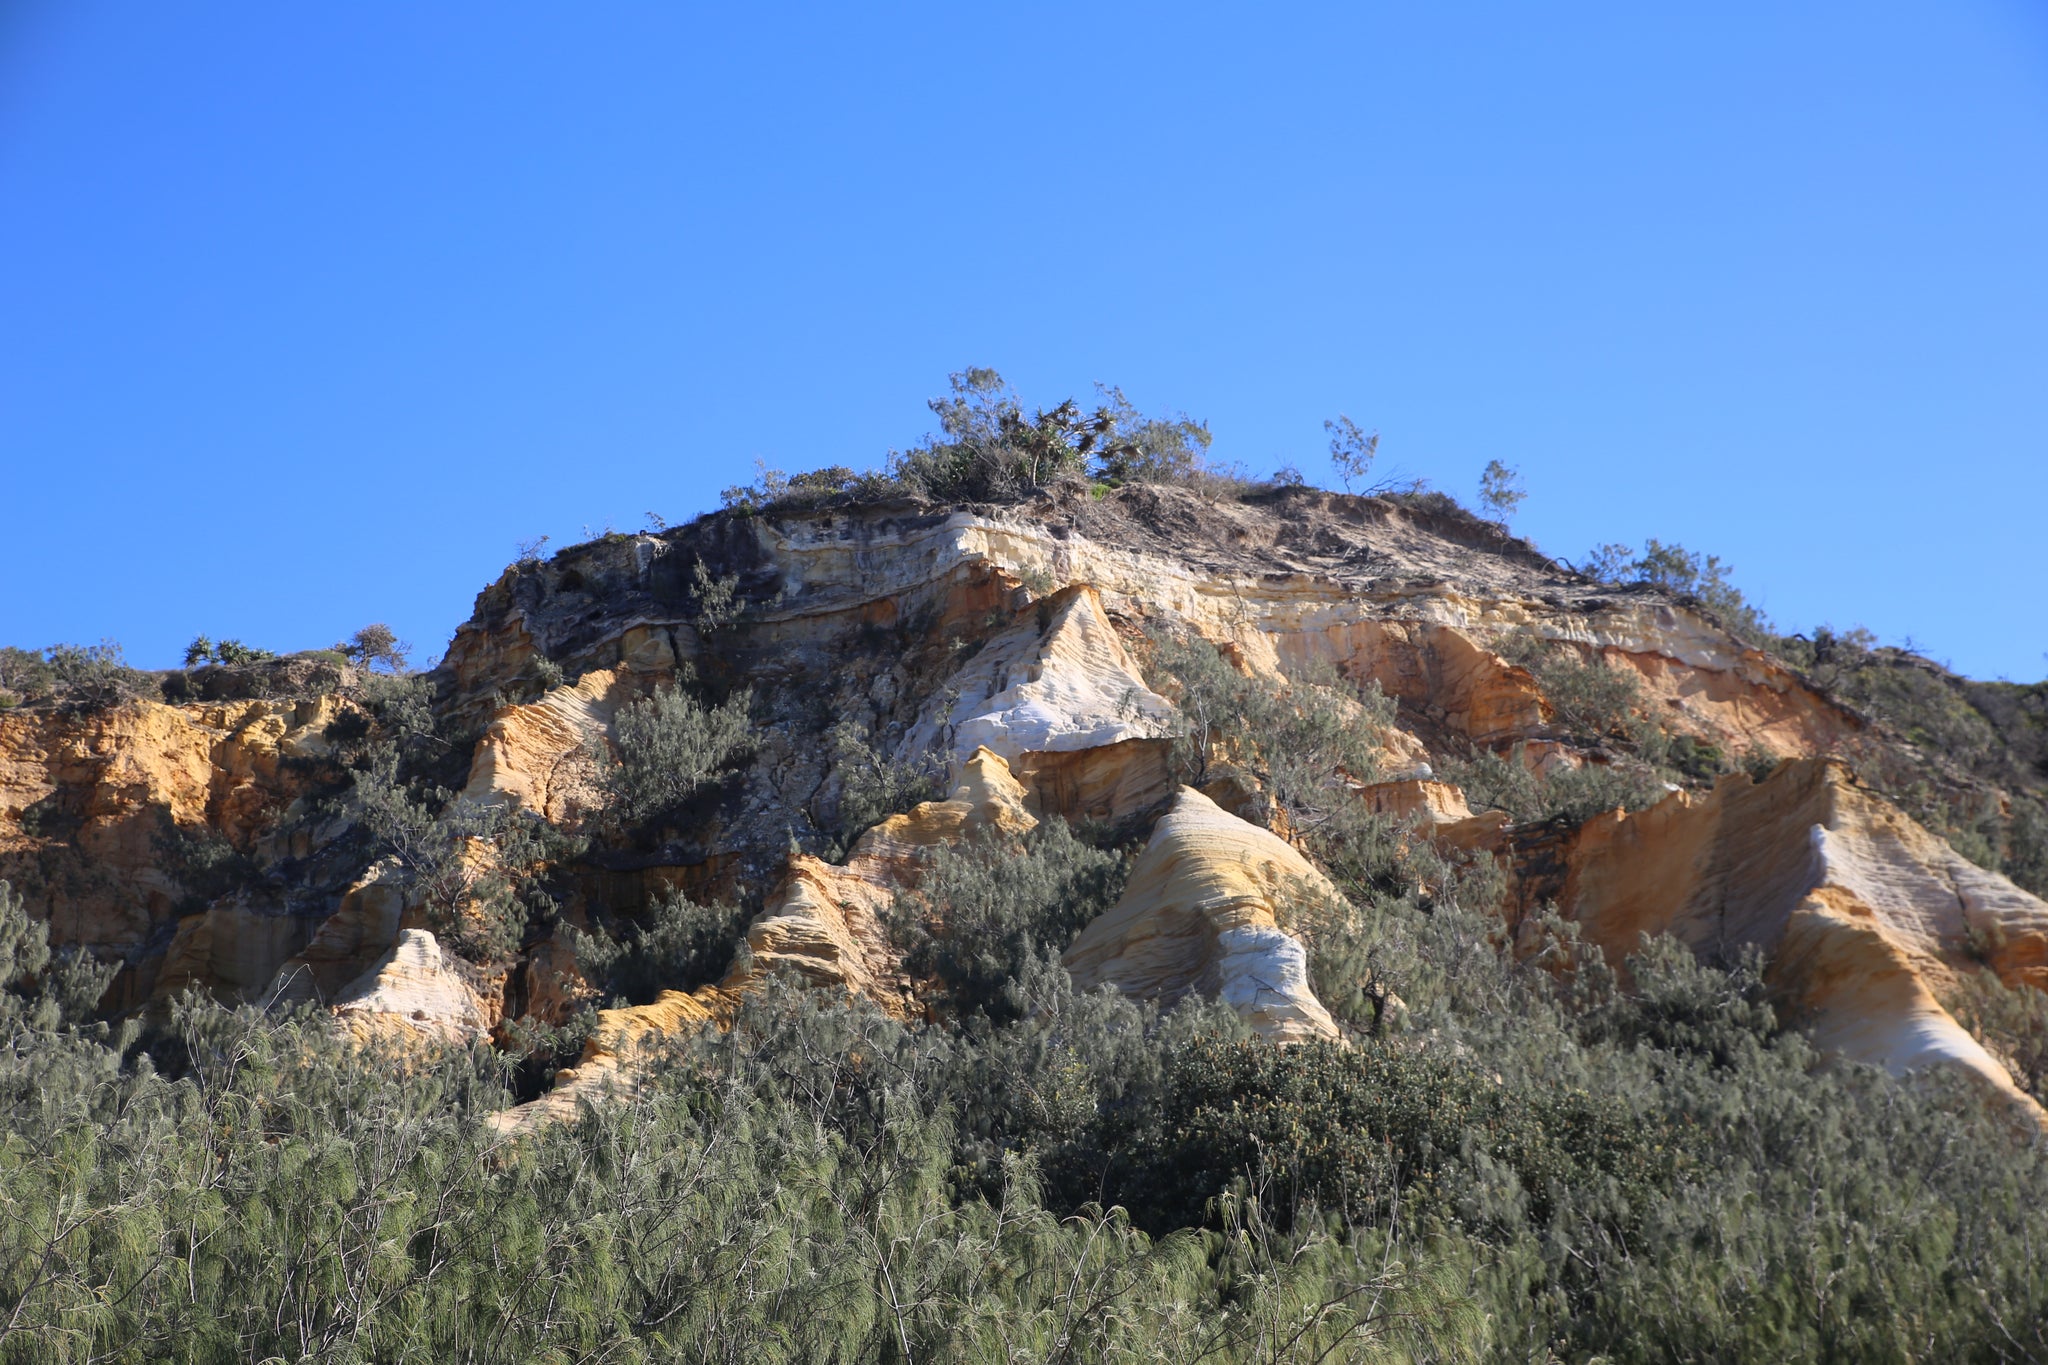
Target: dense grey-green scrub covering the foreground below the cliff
point(1527, 1161)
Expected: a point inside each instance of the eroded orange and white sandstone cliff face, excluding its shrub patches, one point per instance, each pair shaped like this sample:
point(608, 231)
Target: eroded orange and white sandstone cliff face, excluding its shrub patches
point(1000, 650)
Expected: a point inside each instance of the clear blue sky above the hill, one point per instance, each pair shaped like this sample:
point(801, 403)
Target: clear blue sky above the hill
point(312, 312)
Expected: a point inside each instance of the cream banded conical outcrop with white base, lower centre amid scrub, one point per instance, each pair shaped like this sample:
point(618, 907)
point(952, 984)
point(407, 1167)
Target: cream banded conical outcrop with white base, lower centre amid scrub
point(1201, 914)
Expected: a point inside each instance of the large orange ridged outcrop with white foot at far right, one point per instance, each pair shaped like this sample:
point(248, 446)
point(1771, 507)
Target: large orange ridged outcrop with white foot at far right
point(1863, 912)
